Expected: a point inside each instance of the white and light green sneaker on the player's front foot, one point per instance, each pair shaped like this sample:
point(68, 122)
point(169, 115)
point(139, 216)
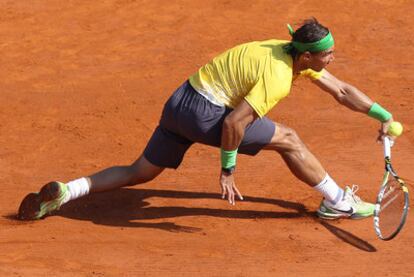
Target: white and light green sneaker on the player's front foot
point(351, 206)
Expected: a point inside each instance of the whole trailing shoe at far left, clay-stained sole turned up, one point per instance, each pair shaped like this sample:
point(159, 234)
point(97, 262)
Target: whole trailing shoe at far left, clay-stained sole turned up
point(37, 205)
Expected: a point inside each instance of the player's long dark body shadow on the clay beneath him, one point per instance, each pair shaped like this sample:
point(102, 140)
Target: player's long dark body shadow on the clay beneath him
point(127, 207)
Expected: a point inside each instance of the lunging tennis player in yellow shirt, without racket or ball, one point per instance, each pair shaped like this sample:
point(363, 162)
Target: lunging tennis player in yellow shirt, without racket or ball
point(224, 105)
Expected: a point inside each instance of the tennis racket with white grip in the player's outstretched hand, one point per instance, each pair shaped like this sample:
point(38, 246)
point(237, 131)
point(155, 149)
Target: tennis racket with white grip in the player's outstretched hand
point(391, 208)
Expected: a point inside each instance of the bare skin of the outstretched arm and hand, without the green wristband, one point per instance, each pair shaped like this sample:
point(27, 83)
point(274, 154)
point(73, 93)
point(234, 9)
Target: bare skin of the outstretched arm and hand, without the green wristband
point(349, 96)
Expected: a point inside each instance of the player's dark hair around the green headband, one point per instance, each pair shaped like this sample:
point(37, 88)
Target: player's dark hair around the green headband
point(310, 31)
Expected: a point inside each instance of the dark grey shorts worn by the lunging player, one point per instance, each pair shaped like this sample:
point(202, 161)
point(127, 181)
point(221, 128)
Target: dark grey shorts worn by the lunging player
point(188, 117)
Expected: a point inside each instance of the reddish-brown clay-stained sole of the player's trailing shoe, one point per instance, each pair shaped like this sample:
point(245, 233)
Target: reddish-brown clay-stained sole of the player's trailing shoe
point(30, 207)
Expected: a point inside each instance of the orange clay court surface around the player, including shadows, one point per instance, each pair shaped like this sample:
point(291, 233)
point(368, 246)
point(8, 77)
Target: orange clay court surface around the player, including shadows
point(82, 87)
